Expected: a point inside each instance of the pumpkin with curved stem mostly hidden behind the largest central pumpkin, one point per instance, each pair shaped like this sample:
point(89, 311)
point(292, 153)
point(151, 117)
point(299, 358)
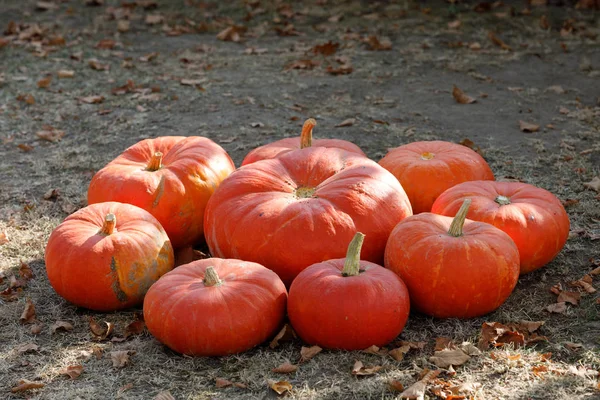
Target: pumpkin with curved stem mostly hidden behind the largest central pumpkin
point(280, 147)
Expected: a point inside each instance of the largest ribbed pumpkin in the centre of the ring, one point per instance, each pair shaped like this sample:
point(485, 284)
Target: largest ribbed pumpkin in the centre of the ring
point(302, 208)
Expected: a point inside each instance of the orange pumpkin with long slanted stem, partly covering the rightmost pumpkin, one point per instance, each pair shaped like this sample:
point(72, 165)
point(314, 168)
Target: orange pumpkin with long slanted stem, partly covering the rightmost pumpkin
point(453, 270)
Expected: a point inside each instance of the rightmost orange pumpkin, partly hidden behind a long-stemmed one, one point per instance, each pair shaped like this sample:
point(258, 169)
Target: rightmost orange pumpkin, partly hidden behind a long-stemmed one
point(533, 217)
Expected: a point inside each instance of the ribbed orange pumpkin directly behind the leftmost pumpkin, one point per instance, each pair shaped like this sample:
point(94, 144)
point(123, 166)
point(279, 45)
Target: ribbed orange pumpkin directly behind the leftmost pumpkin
point(189, 172)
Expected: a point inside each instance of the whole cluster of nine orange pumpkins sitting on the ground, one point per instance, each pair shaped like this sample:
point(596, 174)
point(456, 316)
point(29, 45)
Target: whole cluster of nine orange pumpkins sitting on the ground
point(317, 217)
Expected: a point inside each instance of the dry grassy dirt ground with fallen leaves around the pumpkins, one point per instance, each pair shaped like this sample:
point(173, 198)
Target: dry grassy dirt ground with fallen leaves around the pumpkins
point(391, 74)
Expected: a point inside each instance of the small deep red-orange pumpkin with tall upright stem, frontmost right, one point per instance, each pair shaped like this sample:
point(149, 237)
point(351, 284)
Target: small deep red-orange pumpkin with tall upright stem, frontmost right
point(347, 303)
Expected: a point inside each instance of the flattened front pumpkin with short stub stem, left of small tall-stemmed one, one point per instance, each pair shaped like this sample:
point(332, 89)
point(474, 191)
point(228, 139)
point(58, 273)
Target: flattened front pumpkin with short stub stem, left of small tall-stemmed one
point(240, 312)
